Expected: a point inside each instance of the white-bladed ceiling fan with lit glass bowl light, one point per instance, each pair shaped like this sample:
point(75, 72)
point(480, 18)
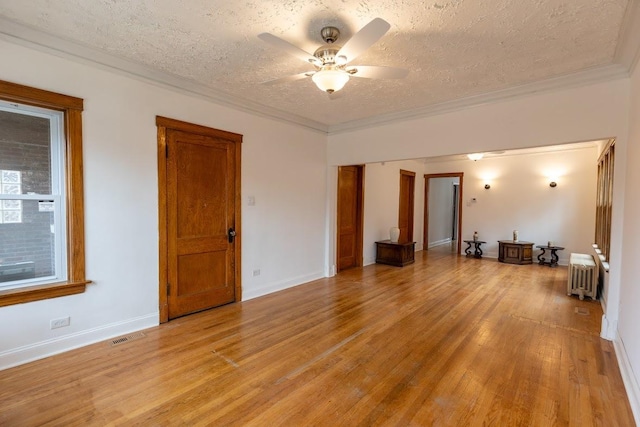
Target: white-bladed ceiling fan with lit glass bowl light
point(331, 60)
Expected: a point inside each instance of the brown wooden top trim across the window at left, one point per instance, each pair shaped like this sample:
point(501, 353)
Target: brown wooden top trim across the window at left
point(37, 97)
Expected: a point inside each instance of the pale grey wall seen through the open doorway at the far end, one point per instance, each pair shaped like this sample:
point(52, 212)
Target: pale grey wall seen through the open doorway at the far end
point(440, 210)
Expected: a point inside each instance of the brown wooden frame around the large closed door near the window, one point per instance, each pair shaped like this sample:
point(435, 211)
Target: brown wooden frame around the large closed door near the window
point(164, 124)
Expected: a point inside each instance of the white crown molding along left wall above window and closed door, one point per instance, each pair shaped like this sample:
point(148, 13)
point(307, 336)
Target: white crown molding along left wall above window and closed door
point(39, 40)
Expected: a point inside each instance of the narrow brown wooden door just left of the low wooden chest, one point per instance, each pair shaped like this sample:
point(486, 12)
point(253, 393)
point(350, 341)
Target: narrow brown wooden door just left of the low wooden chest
point(350, 216)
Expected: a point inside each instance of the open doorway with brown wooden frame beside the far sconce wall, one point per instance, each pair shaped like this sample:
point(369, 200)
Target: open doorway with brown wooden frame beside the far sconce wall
point(443, 211)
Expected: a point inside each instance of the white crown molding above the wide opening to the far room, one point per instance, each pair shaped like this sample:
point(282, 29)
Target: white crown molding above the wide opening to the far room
point(582, 78)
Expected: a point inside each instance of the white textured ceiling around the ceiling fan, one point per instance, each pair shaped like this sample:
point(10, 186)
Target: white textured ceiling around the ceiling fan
point(458, 52)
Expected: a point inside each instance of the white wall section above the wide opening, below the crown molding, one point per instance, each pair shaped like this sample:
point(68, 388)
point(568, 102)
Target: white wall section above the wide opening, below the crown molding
point(578, 114)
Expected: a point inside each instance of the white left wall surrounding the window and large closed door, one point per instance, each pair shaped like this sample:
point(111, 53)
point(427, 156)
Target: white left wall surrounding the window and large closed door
point(283, 235)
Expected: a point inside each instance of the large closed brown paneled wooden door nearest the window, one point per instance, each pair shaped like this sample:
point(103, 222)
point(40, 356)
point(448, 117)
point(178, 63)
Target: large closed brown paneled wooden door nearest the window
point(201, 219)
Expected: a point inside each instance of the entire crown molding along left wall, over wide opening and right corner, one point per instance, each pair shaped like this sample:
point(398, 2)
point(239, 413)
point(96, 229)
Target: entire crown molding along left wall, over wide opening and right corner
point(626, 58)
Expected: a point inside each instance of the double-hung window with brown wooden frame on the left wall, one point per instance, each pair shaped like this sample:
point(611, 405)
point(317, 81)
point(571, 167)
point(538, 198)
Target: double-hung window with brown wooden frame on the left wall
point(41, 195)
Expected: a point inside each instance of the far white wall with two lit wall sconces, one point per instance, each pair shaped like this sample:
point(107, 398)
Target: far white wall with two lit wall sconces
point(520, 199)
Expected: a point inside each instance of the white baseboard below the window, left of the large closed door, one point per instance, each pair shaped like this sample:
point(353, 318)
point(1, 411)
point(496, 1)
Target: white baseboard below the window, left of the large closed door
point(40, 350)
